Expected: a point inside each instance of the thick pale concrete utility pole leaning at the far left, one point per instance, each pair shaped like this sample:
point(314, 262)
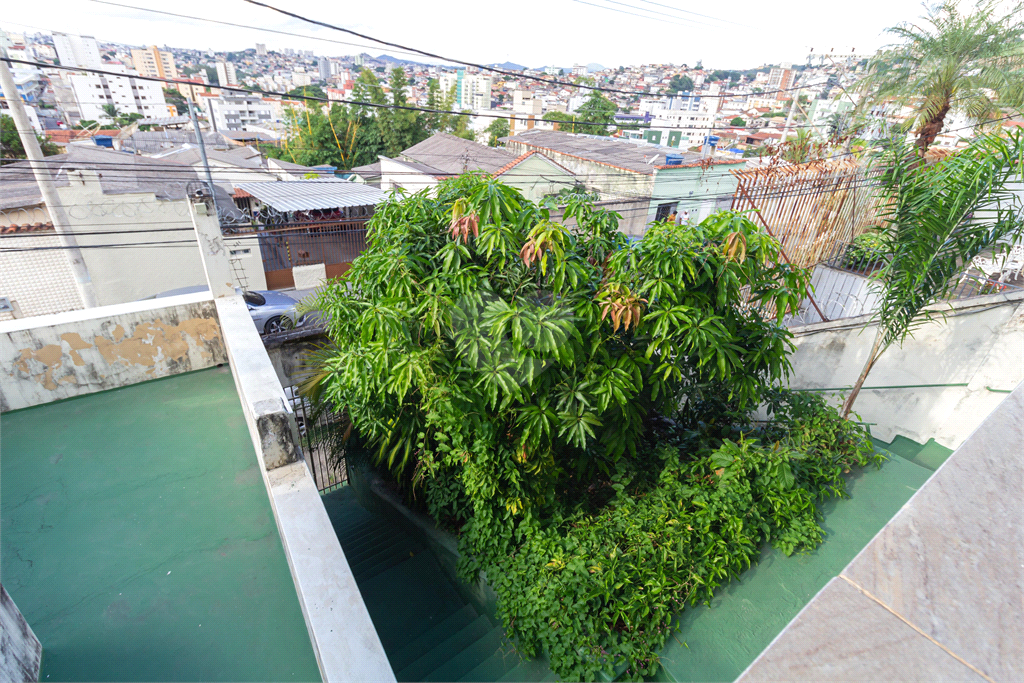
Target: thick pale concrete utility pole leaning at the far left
point(47, 188)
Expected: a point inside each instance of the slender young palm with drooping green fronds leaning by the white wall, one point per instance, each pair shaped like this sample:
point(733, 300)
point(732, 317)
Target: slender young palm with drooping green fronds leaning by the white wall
point(934, 220)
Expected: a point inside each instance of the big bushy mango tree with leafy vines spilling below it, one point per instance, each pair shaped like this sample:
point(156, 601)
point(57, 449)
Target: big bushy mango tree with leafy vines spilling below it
point(576, 406)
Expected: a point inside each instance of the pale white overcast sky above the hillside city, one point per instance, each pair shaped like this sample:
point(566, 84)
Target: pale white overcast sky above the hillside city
point(739, 34)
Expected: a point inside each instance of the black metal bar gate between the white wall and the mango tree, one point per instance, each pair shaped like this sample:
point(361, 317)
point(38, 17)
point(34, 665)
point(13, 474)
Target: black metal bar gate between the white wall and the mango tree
point(322, 438)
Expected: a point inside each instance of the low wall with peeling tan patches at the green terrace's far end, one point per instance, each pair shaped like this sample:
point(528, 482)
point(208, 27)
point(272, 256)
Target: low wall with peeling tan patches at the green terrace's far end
point(51, 358)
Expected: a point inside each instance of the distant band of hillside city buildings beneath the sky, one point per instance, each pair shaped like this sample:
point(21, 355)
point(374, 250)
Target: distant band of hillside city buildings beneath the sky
point(678, 106)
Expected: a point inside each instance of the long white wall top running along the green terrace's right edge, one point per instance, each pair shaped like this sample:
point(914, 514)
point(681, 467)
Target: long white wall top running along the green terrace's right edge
point(343, 634)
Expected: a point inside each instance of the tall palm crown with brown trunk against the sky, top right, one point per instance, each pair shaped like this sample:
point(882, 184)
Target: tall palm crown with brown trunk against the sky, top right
point(952, 61)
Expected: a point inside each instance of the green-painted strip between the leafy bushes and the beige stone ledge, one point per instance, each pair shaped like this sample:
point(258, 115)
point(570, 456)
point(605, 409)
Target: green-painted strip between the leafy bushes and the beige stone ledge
point(717, 644)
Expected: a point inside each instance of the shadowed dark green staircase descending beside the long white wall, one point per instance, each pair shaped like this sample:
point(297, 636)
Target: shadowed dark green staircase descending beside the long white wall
point(429, 632)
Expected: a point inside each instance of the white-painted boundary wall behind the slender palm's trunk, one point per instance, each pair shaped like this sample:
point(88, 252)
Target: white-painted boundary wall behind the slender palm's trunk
point(980, 345)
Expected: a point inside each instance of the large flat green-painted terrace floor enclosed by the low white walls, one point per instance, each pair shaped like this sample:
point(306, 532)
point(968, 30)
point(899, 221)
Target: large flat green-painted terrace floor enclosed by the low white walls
point(139, 541)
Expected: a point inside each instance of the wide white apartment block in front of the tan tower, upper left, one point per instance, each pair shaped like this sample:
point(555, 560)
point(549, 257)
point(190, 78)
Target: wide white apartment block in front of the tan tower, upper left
point(131, 96)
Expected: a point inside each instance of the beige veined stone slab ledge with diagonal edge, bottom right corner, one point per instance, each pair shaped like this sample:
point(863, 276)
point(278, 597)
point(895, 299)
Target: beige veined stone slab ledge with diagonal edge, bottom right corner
point(936, 595)
